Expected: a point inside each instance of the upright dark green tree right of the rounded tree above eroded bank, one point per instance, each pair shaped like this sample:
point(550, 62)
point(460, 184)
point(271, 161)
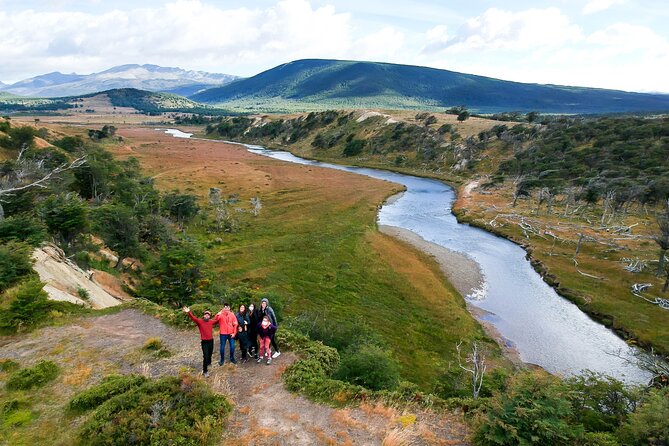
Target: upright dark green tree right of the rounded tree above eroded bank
point(119, 228)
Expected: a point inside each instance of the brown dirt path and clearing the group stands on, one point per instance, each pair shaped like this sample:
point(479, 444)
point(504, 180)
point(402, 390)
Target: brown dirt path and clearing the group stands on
point(265, 413)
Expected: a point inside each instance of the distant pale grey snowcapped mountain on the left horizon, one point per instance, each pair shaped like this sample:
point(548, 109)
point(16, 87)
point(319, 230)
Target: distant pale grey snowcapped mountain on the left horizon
point(143, 77)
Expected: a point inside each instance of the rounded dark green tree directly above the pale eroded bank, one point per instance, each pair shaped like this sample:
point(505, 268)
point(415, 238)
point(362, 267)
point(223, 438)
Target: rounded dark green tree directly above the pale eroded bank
point(65, 215)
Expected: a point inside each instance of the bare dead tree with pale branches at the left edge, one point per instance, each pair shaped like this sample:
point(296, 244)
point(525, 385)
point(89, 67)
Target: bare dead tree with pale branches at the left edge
point(27, 174)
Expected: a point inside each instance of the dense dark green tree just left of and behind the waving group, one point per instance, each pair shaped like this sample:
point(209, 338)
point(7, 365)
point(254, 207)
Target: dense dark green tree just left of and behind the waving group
point(177, 276)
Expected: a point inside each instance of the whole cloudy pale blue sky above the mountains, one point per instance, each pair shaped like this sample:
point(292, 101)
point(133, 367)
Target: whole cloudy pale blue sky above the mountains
point(619, 44)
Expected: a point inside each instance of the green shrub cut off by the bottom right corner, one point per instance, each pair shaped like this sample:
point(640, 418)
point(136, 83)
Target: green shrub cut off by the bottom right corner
point(649, 425)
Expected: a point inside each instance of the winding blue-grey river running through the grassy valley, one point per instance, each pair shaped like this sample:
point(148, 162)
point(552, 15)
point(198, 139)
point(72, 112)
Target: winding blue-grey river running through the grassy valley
point(545, 329)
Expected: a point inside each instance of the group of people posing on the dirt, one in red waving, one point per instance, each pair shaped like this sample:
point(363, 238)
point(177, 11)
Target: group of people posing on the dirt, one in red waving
point(254, 328)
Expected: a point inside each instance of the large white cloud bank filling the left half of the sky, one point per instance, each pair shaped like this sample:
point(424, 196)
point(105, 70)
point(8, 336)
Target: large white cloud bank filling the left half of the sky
point(190, 33)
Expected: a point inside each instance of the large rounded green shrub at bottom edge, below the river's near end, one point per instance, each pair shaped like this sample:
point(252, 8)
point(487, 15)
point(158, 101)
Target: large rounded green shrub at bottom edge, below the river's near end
point(535, 409)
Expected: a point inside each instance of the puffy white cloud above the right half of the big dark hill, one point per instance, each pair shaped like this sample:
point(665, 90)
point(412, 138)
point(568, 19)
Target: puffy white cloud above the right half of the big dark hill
point(497, 29)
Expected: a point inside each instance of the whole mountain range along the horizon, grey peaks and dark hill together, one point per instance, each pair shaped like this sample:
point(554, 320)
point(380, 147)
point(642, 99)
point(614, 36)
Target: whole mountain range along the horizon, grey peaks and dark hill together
point(319, 84)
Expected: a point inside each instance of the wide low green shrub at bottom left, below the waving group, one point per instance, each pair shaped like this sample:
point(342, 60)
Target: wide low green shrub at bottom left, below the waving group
point(170, 410)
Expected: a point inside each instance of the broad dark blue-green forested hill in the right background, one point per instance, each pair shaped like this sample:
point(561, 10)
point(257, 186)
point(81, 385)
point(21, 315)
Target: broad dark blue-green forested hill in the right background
point(315, 83)
